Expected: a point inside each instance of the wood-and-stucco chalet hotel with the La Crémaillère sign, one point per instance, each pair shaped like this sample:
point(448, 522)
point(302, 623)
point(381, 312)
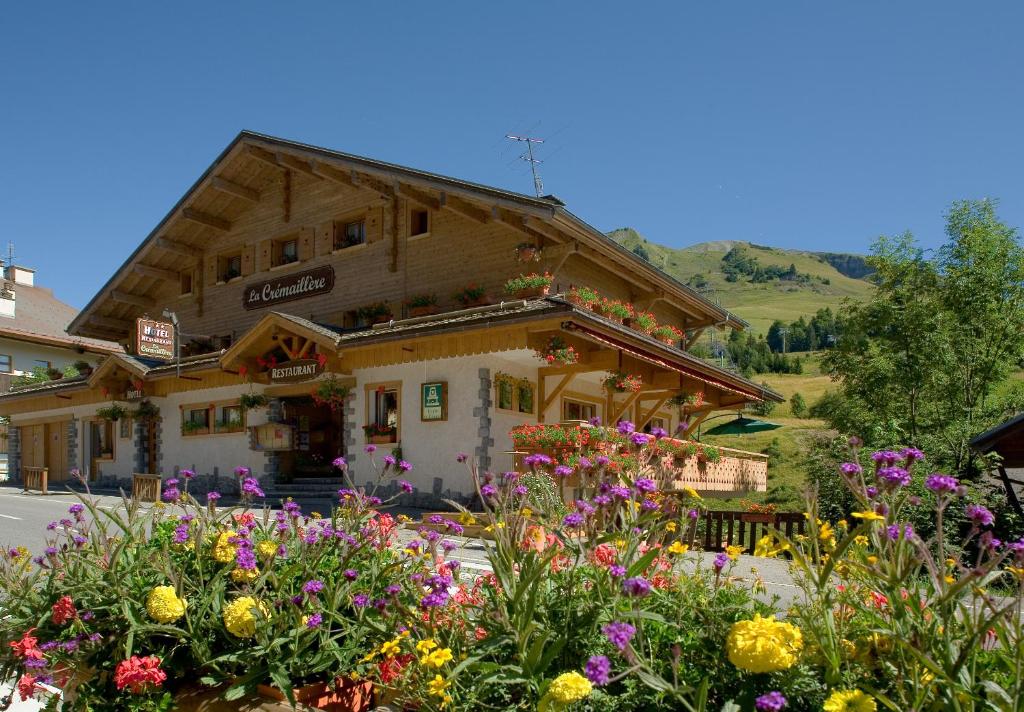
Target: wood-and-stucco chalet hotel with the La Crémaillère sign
point(281, 257)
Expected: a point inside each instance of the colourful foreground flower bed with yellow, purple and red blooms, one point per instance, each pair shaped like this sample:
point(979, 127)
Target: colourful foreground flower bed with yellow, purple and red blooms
point(587, 607)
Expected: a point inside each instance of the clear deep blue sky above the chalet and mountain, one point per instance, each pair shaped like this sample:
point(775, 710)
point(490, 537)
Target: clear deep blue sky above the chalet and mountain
point(798, 124)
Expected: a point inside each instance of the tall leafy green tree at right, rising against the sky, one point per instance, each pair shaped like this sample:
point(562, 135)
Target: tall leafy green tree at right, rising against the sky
point(923, 361)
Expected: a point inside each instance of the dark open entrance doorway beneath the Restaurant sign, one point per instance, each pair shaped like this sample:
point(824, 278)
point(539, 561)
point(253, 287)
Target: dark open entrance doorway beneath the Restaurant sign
point(319, 439)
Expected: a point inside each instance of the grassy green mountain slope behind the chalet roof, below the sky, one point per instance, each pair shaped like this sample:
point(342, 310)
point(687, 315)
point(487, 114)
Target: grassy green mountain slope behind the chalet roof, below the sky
point(758, 283)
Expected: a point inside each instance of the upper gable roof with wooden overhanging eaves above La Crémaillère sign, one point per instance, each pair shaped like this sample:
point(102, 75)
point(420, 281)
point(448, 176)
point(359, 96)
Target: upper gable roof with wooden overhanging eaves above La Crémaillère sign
point(232, 185)
